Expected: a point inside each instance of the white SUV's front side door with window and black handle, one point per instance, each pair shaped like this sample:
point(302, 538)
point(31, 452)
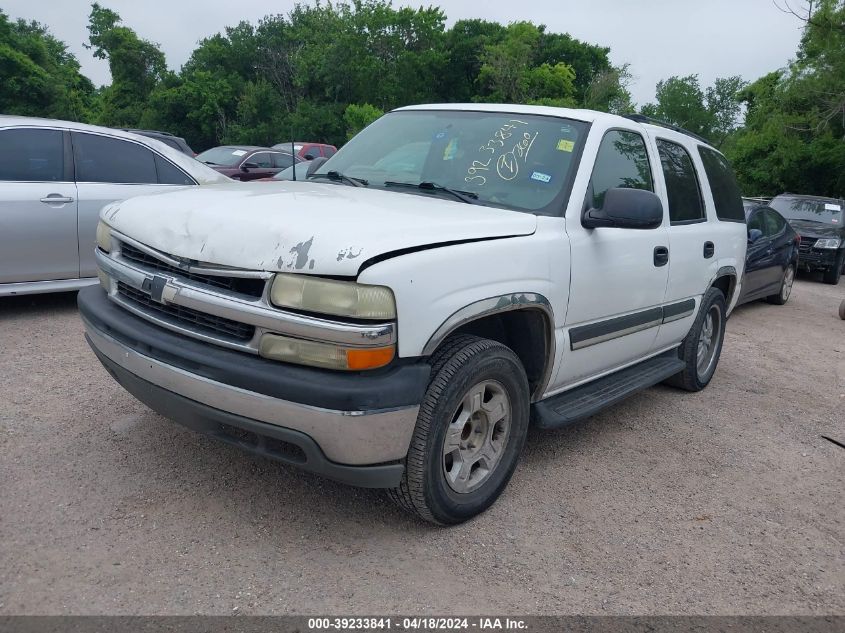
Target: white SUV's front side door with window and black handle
point(618, 276)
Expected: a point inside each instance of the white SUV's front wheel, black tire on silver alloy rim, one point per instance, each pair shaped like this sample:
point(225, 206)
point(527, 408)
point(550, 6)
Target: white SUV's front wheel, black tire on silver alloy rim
point(448, 483)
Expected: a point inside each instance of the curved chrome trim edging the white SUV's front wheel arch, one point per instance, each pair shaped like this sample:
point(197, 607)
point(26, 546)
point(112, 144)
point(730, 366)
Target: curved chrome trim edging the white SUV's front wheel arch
point(496, 305)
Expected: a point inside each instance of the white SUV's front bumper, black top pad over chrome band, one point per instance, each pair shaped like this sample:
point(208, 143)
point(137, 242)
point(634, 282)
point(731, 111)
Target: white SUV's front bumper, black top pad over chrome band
point(349, 427)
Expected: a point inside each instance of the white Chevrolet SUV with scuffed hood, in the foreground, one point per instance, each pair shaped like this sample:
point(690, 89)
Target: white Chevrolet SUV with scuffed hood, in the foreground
point(452, 275)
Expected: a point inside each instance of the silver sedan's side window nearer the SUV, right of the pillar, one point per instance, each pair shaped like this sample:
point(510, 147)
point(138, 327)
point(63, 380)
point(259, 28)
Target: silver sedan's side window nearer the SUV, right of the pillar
point(105, 159)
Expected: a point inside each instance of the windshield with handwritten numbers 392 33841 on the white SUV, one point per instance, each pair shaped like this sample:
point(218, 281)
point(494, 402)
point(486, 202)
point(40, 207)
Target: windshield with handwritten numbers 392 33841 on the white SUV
point(515, 161)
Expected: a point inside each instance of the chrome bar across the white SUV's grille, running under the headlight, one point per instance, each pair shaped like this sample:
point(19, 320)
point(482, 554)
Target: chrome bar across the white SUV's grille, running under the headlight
point(252, 312)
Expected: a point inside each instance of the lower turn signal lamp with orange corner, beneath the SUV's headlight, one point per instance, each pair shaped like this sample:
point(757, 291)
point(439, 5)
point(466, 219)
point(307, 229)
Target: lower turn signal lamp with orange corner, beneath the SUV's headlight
point(293, 350)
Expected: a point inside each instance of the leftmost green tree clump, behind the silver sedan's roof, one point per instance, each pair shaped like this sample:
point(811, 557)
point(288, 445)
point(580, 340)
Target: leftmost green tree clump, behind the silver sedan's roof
point(38, 76)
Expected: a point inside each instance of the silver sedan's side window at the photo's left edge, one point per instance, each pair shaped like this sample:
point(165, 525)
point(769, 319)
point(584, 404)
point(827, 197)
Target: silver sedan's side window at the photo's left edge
point(30, 155)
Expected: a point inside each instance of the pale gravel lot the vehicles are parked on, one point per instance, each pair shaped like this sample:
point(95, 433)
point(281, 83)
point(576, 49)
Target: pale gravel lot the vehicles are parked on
point(723, 502)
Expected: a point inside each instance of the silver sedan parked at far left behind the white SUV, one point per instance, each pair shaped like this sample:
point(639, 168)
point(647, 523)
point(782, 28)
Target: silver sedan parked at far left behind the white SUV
point(55, 176)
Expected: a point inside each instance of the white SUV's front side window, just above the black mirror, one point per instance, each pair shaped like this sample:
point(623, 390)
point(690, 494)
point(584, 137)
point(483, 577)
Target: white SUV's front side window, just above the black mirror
point(622, 161)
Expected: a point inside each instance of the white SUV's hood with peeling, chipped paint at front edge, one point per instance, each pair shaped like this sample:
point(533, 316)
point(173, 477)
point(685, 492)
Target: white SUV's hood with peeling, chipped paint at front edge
point(317, 228)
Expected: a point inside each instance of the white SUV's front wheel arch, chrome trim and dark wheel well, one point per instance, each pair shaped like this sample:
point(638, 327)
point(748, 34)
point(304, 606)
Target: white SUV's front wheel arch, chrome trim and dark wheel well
point(501, 318)
